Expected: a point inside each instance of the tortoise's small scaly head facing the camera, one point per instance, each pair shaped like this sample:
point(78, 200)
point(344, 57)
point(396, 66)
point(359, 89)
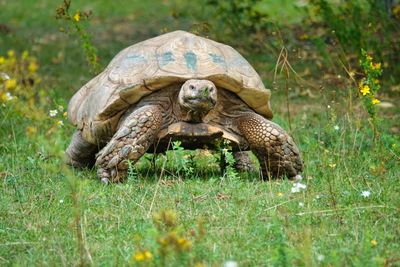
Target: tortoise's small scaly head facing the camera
point(197, 97)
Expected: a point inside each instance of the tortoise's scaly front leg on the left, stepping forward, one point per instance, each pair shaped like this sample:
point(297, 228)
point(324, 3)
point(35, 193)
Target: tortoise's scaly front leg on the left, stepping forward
point(136, 133)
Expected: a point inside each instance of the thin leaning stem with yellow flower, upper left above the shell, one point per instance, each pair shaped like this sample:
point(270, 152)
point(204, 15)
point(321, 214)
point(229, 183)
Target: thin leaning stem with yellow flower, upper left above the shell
point(75, 26)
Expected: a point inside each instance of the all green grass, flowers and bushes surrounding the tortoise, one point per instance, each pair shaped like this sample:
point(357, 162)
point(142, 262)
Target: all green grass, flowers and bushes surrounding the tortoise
point(339, 89)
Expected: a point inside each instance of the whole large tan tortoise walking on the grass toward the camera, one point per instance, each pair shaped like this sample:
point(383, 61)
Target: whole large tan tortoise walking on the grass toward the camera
point(177, 86)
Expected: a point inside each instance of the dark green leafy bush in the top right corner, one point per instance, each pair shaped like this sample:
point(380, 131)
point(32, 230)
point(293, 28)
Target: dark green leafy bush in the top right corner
point(360, 24)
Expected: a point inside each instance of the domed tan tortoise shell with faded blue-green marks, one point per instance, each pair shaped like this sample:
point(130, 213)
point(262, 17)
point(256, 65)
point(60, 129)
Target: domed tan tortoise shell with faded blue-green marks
point(153, 64)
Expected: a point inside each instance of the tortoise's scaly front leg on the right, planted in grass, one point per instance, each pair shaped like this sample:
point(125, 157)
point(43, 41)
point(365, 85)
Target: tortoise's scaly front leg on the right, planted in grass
point(274, 148)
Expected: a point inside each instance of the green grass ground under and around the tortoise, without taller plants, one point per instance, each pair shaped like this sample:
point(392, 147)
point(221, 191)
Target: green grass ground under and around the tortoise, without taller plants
point(52, 215)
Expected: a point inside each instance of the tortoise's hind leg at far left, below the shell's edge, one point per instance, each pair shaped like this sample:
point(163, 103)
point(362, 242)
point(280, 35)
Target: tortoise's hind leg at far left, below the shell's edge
point(80, 153)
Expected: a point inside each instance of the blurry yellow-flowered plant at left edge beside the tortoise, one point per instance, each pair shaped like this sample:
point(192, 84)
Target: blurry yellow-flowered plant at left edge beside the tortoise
point(22, 93)
